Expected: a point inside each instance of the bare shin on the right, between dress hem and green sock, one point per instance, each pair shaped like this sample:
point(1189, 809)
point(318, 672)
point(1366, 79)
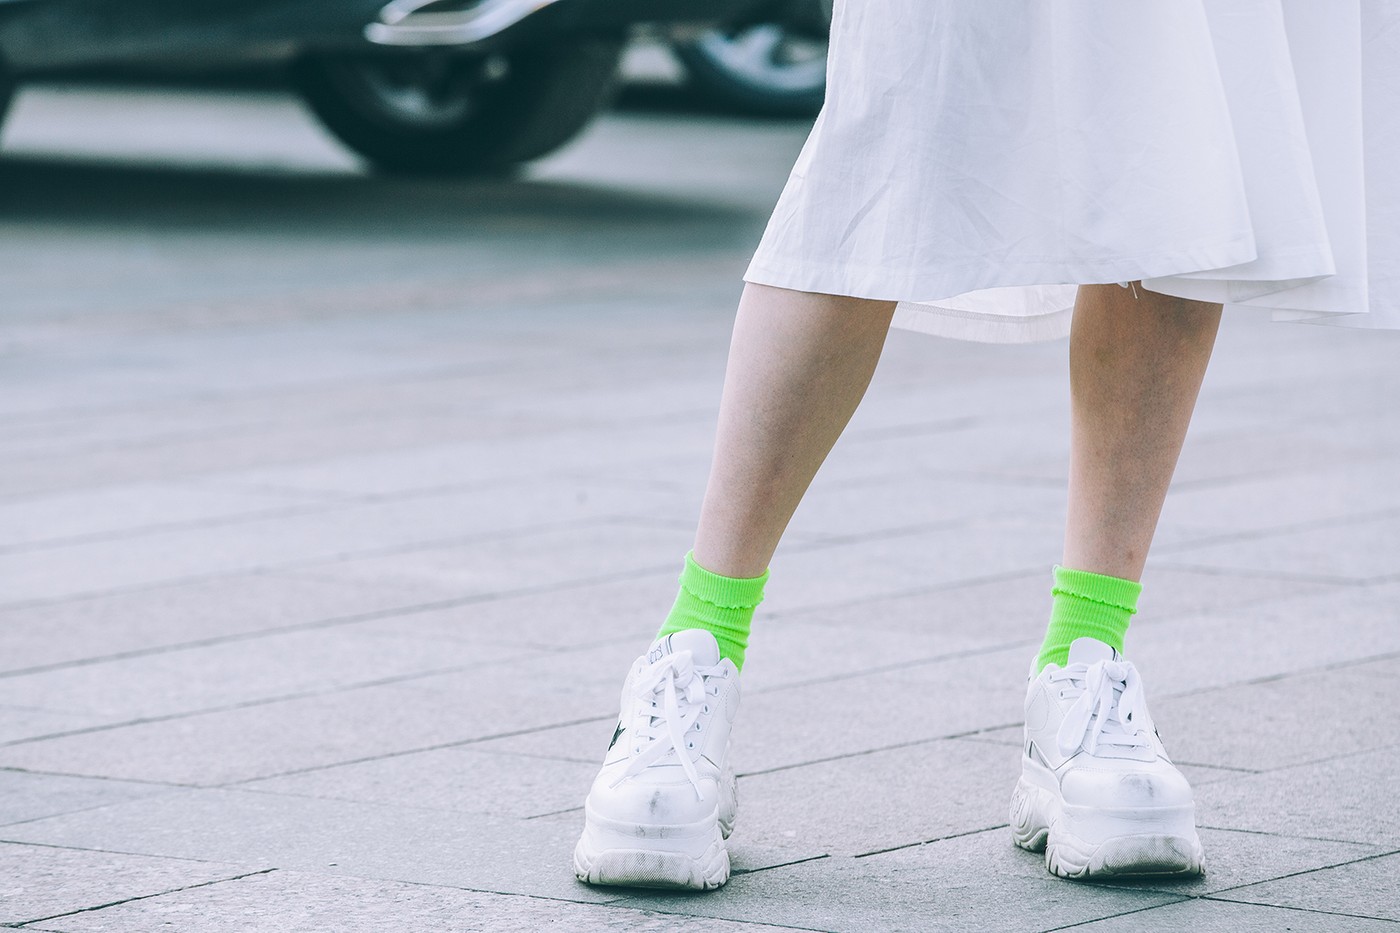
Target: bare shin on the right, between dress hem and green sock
point(1136, 366)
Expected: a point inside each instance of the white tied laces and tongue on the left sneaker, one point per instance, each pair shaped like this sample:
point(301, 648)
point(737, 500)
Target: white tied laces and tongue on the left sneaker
point(673, 694)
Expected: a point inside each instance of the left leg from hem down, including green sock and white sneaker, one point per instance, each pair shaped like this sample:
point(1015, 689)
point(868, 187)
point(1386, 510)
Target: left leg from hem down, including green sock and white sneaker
point(663, 805)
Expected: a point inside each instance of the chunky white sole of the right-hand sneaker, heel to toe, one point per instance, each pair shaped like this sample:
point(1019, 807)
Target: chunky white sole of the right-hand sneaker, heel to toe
point(1094, 843)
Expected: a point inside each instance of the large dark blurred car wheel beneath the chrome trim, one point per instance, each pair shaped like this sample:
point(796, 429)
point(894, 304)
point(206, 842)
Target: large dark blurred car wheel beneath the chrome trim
point(443, 113)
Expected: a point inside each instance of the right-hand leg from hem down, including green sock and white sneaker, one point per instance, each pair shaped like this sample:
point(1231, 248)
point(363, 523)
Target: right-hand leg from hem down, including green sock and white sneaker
point(1097, 788)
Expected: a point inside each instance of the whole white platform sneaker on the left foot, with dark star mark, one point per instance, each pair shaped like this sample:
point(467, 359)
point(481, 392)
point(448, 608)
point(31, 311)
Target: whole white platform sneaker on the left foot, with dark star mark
point(664, 803)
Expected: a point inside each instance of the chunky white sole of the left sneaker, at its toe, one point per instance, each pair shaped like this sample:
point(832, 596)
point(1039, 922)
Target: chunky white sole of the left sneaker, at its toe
point(647, 857)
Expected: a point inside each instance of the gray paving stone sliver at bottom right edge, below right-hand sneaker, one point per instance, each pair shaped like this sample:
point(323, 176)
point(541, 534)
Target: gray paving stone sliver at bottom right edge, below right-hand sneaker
point(1198, 917)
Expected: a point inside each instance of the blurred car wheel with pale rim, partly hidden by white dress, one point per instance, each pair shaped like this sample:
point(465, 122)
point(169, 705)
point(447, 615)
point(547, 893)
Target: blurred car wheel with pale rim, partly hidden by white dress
point(775, 69)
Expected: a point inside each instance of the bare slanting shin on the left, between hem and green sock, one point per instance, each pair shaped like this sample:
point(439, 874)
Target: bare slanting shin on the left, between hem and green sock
point(799, 366)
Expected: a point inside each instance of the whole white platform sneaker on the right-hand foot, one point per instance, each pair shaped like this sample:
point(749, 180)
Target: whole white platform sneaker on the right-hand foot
point(1097, 789)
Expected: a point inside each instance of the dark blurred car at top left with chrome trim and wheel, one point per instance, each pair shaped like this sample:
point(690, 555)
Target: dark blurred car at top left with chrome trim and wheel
point(415, 86)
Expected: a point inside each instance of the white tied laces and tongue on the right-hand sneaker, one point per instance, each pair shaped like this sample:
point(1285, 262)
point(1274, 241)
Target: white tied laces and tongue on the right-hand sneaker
point(1109, 694)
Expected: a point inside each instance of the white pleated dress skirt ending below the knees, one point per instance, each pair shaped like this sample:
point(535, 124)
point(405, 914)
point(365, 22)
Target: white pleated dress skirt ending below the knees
point(978, 159)
